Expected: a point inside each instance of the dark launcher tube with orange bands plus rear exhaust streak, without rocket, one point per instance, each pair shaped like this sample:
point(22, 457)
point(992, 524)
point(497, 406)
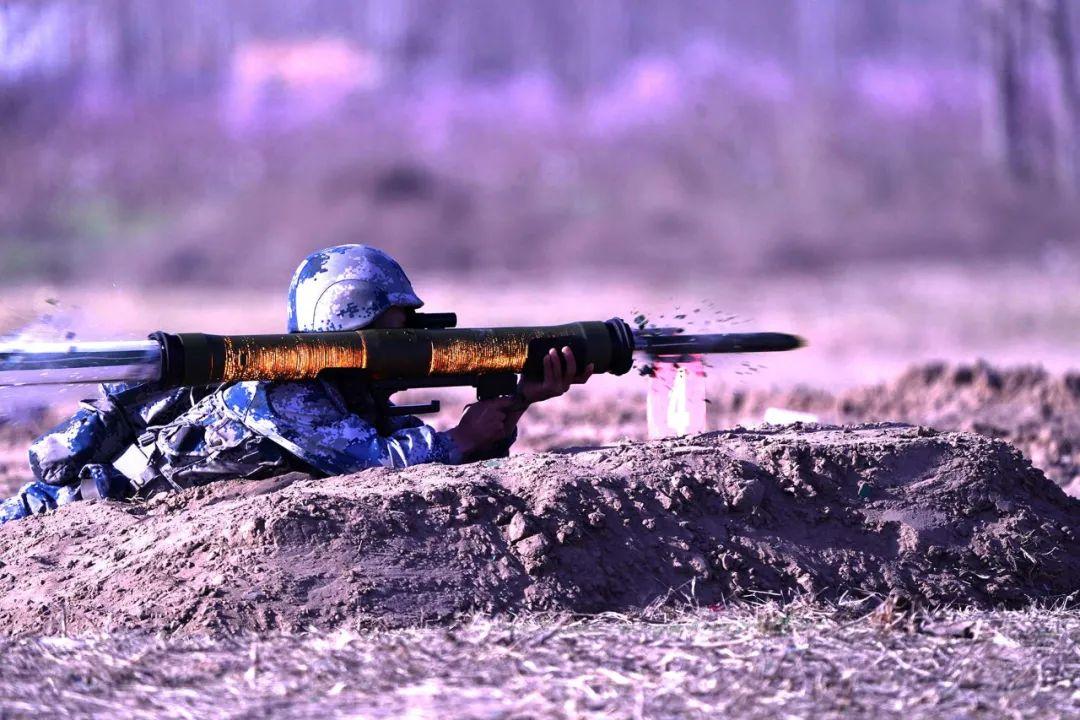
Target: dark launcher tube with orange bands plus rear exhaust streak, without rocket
point(196, 359)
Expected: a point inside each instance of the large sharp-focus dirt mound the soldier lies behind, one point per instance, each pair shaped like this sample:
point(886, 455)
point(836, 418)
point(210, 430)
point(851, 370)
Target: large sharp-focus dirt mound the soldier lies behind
point(950, 519)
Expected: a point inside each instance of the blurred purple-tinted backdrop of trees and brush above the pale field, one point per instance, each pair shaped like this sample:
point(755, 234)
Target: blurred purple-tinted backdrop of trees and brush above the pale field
point(151, 144)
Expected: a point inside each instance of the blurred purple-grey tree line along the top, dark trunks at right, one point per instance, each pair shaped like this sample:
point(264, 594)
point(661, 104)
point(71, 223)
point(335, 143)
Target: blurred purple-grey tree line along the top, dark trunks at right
point(1025, 49)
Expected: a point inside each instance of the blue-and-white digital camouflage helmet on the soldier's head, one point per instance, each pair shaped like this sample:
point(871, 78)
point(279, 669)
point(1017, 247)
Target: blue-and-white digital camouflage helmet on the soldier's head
point(346, 288)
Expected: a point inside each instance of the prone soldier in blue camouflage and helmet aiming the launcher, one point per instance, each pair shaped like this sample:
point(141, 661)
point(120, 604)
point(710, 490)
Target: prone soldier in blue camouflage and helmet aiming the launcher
point(137, 441)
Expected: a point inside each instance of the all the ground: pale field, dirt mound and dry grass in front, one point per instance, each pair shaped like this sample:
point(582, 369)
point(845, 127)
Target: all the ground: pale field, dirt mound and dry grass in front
point(142, 609)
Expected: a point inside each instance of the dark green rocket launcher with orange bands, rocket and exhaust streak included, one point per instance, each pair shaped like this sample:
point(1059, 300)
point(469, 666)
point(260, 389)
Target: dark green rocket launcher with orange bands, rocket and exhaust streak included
point(433, 352)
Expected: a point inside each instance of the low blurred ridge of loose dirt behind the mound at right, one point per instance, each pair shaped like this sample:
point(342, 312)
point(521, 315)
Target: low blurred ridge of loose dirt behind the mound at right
point(1036, 411)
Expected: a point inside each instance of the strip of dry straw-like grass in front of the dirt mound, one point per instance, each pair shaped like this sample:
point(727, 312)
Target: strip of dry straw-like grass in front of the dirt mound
point(763, 662)
